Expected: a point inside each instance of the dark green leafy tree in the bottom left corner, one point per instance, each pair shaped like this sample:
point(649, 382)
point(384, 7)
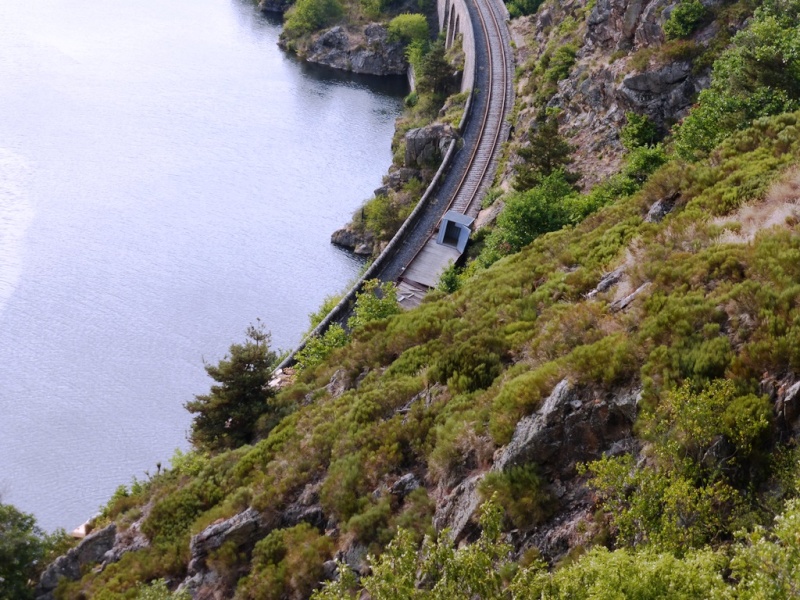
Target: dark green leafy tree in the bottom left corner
point(22, 549)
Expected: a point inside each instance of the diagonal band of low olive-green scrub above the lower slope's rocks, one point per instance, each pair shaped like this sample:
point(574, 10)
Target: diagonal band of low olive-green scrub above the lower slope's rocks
point(530, 312)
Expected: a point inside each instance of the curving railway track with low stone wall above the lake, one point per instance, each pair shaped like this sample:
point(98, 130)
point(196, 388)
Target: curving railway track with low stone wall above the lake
point(464, 176)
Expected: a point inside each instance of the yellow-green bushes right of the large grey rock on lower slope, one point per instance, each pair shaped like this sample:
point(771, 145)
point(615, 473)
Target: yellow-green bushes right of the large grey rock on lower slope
point(684, 498)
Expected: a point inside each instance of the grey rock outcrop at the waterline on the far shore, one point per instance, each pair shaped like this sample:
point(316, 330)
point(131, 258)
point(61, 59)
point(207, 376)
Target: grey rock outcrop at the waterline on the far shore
point(367, 51)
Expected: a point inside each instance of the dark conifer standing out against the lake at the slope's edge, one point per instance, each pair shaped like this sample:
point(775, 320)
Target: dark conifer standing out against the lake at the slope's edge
point(226, 417)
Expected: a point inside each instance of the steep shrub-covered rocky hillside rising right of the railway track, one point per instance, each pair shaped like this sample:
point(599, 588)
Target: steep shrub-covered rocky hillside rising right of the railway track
point(626, 381)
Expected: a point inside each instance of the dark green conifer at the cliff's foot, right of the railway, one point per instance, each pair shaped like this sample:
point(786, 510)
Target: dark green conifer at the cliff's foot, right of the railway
point(546, 152)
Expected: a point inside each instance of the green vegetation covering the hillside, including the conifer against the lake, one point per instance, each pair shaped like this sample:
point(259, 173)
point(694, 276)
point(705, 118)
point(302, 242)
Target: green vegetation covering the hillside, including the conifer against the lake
point(604, 402)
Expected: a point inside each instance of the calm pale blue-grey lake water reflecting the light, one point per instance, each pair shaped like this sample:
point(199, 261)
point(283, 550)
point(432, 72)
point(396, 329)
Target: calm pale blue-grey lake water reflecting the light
point(167, 176)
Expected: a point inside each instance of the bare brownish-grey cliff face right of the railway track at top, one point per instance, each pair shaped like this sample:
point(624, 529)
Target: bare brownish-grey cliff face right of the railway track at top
point(623, 63)
